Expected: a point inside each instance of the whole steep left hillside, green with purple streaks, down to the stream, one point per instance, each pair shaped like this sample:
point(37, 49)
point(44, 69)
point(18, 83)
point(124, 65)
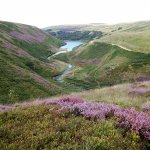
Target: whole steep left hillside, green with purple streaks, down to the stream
point(25, 70)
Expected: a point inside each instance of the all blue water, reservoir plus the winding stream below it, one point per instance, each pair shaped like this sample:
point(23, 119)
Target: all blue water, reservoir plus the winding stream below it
point(69, 47)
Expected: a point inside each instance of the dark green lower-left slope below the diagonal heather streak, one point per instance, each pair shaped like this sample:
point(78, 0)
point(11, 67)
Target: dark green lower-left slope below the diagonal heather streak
point(17, 86)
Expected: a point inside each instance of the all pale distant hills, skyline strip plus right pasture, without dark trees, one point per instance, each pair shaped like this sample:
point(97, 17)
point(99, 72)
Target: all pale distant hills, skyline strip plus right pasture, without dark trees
point(134, 35)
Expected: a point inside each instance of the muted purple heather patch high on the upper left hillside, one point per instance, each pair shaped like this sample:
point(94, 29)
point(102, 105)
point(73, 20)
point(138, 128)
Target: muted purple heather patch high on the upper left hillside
point(28, 37)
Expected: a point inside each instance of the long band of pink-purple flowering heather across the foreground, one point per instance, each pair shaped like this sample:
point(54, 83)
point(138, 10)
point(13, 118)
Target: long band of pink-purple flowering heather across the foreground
point(130, 119)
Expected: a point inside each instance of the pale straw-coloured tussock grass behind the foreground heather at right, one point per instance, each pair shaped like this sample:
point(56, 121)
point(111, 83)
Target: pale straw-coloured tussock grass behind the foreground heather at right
point(118, 94)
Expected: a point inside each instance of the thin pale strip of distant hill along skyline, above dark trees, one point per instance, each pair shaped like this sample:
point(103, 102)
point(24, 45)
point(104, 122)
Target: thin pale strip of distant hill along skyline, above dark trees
point(136, 26)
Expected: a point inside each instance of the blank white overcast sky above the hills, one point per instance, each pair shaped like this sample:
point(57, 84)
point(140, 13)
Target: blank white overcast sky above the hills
point(43, 13)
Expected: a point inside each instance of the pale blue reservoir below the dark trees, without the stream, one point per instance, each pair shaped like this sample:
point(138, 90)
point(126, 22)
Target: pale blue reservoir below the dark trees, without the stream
point(70, 45)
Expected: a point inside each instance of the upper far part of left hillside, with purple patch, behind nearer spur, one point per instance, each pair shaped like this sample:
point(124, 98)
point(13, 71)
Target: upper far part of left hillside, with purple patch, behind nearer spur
point(28, 38)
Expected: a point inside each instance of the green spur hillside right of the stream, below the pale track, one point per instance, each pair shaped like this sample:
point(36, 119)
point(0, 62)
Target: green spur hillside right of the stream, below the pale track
point(99, 64)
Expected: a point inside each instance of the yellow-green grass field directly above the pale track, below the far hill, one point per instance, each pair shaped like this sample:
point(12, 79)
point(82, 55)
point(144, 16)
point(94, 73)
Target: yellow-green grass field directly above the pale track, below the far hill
point(135, 41)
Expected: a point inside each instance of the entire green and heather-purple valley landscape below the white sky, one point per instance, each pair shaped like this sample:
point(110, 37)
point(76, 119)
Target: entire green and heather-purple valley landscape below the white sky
point(75, 87)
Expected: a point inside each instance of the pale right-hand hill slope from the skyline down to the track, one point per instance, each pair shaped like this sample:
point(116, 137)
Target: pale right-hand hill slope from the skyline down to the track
point(134, 36)
